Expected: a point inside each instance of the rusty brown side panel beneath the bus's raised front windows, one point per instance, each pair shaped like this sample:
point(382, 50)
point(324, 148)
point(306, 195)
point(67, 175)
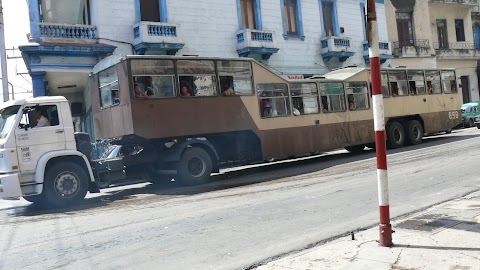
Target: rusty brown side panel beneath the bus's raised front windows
point(165, 118)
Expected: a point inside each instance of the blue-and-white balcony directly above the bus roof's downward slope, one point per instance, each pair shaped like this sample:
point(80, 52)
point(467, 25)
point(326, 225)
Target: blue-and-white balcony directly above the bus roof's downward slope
point(256, 42)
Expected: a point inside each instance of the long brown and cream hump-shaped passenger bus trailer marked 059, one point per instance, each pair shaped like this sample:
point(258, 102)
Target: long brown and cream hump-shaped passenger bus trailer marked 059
point(195, 115)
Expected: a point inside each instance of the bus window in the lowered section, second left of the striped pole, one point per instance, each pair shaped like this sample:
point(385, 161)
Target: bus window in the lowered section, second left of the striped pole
point(332, 97)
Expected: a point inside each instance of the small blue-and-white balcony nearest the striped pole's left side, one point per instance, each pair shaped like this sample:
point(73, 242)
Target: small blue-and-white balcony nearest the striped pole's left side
point(336, 47)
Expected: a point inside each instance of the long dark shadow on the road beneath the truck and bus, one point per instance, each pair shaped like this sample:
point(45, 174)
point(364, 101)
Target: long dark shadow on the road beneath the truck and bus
point(238, 177)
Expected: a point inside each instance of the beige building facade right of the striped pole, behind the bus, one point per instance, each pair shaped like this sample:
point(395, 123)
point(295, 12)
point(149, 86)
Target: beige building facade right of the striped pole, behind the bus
point(437, 34)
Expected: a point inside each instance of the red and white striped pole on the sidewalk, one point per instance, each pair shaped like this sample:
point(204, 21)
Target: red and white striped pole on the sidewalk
point(379, 123)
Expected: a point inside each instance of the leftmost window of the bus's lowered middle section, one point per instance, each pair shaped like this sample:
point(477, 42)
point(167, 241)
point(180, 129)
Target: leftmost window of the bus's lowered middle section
point(273, 100)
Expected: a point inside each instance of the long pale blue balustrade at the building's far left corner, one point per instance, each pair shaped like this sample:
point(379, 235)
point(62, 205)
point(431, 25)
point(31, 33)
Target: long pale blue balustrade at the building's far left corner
point(67, 31)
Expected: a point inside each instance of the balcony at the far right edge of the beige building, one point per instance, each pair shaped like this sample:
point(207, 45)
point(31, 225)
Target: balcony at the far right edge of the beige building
point(457, 50)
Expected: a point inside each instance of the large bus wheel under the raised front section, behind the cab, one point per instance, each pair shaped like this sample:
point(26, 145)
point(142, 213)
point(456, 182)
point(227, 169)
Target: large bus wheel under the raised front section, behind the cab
point(194, 167)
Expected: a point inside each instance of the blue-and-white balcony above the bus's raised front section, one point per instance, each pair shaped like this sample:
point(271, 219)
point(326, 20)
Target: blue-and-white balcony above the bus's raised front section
point(157, 38)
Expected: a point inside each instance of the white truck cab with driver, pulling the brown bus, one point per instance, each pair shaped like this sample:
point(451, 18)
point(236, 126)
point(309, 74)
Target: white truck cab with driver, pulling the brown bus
point(46, 164)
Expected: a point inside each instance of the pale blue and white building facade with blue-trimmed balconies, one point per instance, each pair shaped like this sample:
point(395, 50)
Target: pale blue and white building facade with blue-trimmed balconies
point(292, 37)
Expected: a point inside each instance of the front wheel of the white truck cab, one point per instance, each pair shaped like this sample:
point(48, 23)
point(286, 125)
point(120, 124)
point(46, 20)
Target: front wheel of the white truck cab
point(66, 183)
